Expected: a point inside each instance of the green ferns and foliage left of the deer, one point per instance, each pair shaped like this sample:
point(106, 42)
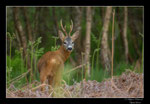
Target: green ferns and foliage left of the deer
point(17, 65)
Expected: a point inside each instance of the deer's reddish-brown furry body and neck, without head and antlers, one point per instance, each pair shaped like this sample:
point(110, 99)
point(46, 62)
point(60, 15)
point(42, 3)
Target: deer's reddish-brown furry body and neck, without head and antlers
point(51, 65)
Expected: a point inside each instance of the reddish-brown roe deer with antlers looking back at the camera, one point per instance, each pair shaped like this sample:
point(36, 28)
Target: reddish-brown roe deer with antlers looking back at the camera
point(51, 64)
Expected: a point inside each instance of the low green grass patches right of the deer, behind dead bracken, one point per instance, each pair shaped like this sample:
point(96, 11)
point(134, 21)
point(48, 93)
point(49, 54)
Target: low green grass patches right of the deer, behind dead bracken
point(98, 74)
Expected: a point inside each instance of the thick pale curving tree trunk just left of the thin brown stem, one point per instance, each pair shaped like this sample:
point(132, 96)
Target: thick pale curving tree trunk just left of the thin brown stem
point(105, 51)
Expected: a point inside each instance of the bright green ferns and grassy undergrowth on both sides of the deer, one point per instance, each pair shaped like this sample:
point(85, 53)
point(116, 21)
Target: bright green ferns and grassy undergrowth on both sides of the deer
point(16, 66)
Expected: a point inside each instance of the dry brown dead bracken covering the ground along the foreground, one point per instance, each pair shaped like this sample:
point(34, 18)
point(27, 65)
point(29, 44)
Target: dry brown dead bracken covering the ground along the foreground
point(127, 85)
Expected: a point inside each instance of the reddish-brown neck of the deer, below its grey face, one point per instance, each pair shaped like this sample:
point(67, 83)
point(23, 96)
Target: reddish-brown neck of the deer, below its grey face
point(64, 53)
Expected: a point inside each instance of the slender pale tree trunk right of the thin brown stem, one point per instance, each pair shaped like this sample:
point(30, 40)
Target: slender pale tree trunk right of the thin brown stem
point(125, 40)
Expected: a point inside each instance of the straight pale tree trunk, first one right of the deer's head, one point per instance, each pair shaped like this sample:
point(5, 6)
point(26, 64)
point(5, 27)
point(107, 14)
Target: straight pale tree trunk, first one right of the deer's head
point(88, 37)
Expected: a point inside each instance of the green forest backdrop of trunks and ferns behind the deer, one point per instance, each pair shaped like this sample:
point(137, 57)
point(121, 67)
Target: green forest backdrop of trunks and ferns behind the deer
point(33, 31)
